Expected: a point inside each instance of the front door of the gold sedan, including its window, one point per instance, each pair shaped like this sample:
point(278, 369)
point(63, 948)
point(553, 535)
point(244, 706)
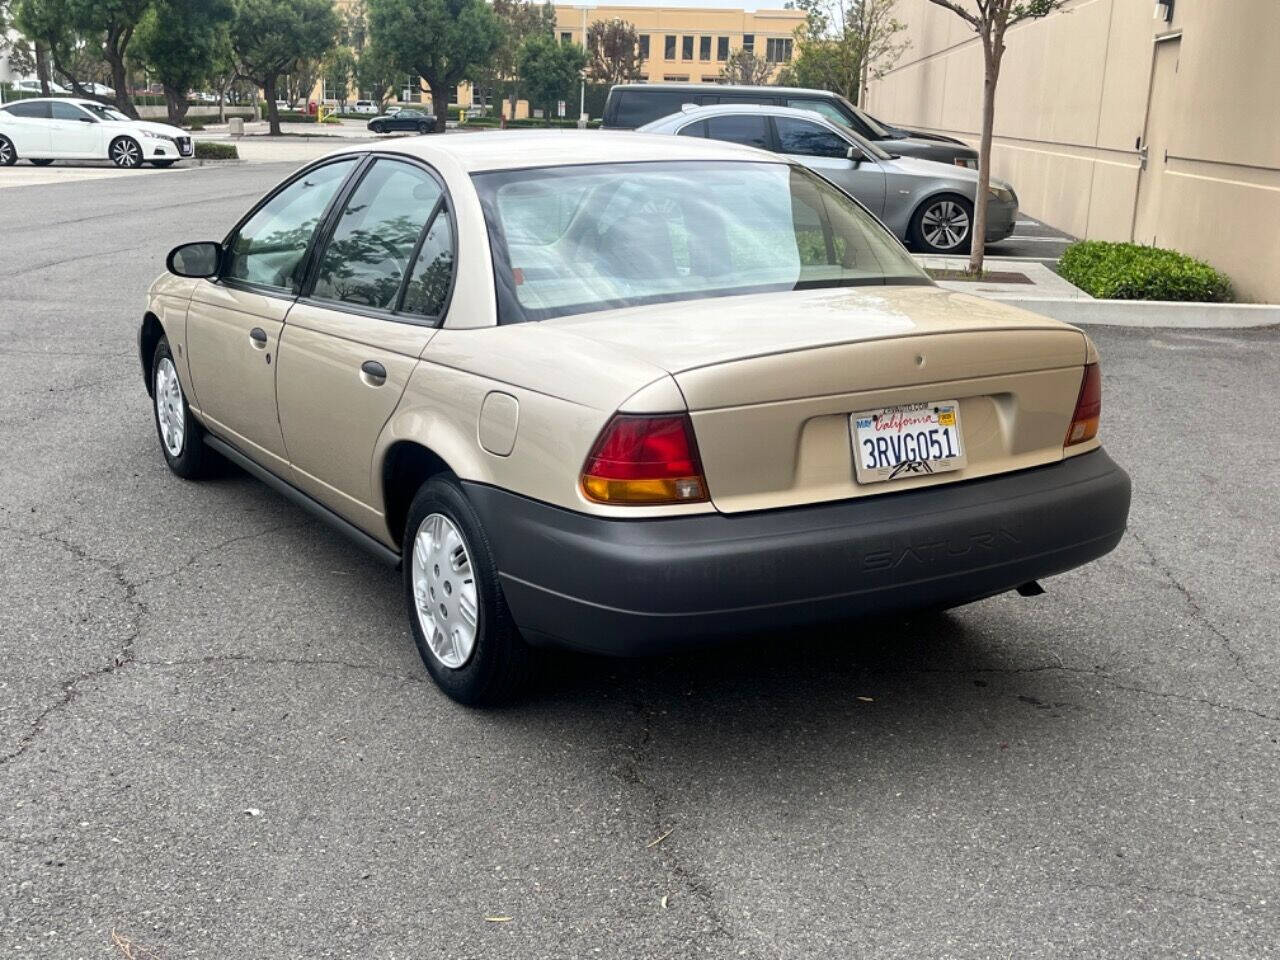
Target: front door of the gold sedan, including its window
point(235, 323)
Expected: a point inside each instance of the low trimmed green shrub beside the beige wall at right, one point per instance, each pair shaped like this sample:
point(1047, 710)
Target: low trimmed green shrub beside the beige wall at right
point(1133, 272)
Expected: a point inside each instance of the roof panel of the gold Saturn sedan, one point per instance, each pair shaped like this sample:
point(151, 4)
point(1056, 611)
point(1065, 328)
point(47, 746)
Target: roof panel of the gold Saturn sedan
point(516, 150)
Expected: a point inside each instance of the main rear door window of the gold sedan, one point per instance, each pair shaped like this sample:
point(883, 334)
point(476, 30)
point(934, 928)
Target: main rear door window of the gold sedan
point(374, 240)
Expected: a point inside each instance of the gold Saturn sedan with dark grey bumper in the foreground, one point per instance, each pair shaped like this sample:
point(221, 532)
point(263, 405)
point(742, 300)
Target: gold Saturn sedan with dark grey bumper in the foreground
point(624, 394)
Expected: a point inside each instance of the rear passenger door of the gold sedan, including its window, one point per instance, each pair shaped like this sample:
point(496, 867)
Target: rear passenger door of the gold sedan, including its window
point(376, 296)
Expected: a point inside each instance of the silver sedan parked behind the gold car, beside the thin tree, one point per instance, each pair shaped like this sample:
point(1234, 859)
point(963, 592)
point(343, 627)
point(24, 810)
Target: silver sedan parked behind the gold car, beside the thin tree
point(927, 205)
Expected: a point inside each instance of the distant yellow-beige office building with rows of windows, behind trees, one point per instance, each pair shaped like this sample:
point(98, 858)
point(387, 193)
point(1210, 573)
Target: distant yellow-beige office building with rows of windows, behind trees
point(689, 44)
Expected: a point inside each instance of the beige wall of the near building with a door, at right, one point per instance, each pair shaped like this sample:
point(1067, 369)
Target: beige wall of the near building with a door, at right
point(1121, 120)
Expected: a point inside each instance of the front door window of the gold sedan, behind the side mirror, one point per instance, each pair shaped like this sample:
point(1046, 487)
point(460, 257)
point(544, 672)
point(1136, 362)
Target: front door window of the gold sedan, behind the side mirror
point(271, 246)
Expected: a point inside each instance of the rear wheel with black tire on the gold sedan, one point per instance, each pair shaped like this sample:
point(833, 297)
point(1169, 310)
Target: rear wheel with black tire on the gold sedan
point(460, 620)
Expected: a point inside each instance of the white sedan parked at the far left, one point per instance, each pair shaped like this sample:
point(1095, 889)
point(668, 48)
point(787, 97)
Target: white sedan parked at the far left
point(47, 130)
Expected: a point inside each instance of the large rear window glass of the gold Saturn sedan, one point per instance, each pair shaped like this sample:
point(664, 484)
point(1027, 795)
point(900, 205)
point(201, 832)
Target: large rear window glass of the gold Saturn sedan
point(572, 240)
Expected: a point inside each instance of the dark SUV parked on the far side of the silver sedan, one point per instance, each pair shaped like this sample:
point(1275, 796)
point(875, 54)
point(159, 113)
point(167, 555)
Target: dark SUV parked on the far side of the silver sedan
point(633, 106)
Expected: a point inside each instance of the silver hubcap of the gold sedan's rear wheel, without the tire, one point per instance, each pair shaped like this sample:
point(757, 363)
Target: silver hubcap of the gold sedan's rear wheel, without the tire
point(445, 591)
